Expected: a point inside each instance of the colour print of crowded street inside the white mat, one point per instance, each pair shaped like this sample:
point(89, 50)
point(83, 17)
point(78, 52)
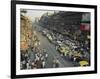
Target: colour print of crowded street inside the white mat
point(54, 39)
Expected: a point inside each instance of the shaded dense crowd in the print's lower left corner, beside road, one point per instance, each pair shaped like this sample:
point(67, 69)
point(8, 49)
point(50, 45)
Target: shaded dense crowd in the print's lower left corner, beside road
point(37, 61)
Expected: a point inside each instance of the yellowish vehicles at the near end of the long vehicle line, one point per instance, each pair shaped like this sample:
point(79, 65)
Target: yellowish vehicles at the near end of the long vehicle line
point(73, 55)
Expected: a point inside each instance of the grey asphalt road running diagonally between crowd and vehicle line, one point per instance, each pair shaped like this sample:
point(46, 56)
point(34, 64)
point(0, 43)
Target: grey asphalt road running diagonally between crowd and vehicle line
point(52, 52)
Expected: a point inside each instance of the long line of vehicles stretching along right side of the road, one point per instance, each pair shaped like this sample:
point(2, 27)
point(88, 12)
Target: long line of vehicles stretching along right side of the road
point(66, 48)
